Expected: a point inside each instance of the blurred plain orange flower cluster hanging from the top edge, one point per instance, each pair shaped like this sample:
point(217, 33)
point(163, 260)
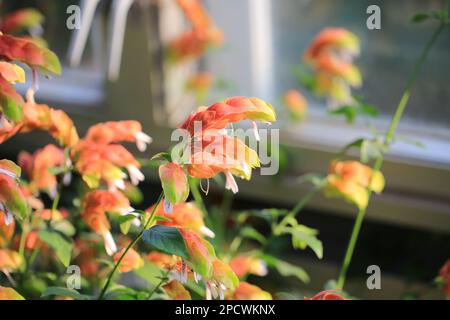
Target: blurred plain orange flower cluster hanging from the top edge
point(203, 35)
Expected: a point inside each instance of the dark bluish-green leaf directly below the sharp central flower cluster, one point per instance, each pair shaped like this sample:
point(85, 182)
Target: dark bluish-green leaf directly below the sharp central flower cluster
point(166, 239)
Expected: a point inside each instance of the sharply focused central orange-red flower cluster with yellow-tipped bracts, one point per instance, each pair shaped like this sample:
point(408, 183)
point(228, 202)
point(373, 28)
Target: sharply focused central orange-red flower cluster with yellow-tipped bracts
point(211, 150)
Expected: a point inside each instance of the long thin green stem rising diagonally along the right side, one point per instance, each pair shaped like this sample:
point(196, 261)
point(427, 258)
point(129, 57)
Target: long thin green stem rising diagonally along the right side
point(379, 161)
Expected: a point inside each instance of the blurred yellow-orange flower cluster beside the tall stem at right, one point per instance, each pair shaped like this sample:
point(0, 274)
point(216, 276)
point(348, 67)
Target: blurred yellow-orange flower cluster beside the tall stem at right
point(350, 180)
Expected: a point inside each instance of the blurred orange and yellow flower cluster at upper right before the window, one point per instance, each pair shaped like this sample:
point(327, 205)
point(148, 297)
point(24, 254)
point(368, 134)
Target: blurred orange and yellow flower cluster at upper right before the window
point(331, 56)
